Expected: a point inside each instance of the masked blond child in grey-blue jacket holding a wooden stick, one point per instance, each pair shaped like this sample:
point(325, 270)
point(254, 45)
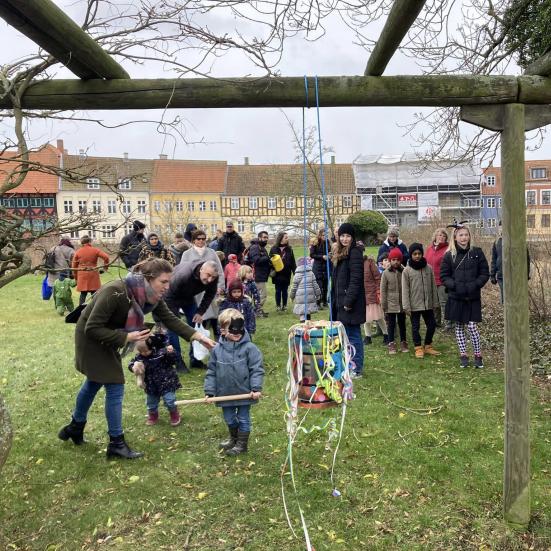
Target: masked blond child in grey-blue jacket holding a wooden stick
point(235, 367)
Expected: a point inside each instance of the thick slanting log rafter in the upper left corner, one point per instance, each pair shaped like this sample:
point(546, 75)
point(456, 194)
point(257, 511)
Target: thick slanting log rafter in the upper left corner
point(47, 25)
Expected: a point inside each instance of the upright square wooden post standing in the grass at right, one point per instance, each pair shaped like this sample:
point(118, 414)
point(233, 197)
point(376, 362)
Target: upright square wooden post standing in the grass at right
point(516, 480)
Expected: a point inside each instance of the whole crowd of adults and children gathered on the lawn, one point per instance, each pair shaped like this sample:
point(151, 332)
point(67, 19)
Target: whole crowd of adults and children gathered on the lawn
point(220, 287)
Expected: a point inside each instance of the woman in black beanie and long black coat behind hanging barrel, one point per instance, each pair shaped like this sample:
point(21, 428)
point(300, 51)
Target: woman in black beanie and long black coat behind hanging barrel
point(347, 290)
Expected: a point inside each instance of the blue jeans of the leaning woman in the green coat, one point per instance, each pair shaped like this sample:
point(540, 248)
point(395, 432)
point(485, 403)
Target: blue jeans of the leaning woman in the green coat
point(114, 393)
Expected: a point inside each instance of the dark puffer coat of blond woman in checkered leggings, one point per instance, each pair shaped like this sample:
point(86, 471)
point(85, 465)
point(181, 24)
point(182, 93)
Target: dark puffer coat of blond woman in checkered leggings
point(464, 277)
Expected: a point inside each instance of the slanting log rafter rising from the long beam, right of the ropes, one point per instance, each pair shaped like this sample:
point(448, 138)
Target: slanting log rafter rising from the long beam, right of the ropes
point(402, 15)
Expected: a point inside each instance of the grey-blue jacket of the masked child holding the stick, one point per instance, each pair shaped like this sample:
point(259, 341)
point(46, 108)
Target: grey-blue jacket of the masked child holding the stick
point(234, 368)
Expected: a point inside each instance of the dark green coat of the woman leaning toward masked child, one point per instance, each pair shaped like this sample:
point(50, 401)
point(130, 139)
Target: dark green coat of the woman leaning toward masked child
point(100, 332)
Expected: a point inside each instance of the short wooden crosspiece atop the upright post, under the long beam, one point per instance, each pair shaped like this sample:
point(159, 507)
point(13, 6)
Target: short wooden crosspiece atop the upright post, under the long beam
point(491, 116)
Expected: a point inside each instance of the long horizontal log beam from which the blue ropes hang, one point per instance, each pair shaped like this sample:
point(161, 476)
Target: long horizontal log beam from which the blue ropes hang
point(346, 91)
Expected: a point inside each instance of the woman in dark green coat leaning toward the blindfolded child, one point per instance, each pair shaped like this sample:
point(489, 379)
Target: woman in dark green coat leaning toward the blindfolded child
point(114, 318)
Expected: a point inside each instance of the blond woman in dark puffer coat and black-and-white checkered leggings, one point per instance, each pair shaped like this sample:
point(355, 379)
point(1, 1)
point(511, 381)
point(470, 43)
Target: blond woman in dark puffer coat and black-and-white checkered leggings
point(464, 271)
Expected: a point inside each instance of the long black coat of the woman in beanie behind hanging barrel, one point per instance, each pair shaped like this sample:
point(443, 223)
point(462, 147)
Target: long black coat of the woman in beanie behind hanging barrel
point(347, 288)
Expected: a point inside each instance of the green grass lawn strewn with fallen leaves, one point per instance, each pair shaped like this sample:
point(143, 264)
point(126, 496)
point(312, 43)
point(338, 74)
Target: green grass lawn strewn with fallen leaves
point(408, 481)
